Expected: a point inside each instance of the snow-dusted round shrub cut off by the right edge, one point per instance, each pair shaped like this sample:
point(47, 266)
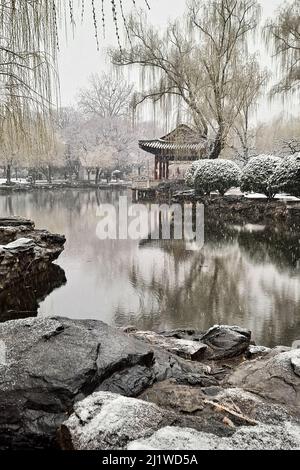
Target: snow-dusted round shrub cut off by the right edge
point(286, 177)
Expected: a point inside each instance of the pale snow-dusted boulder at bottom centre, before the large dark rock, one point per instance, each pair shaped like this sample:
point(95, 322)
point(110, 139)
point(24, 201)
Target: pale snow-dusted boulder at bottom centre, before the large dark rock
point(105, 421)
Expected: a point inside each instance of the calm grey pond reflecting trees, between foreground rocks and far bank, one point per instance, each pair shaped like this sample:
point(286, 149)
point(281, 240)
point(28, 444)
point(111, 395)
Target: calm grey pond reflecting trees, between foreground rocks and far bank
point(247, 276)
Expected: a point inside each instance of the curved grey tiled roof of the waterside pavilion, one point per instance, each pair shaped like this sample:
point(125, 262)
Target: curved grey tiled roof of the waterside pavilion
point(182, 143)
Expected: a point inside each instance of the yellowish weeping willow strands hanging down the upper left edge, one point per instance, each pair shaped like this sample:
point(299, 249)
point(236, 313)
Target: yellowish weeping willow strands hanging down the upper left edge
point(29, 42)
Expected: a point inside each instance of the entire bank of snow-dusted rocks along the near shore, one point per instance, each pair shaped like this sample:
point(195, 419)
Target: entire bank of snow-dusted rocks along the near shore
point(80, 384)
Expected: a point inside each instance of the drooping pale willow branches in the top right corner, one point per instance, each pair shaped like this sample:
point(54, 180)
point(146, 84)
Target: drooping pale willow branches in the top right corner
point(282, 36)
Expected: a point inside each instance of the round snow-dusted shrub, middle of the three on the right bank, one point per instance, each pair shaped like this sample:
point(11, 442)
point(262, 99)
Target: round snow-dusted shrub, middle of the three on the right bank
point(258, 173)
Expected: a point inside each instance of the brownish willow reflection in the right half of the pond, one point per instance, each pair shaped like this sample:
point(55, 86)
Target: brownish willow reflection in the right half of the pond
point(248, 276)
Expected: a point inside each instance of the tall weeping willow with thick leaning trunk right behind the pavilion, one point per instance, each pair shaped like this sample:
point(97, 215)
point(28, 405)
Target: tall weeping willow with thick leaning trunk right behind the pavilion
point(201, 62)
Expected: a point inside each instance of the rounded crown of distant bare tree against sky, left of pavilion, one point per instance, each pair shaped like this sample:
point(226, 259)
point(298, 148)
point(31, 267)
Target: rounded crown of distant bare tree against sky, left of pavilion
point(106, 97)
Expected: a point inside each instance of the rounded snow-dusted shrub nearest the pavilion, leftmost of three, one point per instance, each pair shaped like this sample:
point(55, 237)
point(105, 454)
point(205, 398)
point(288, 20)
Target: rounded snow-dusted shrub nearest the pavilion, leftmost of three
point(217, 175)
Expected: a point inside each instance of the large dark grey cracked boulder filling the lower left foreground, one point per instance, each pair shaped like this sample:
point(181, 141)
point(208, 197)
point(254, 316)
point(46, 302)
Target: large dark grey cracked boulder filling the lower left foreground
point(49, 364)
